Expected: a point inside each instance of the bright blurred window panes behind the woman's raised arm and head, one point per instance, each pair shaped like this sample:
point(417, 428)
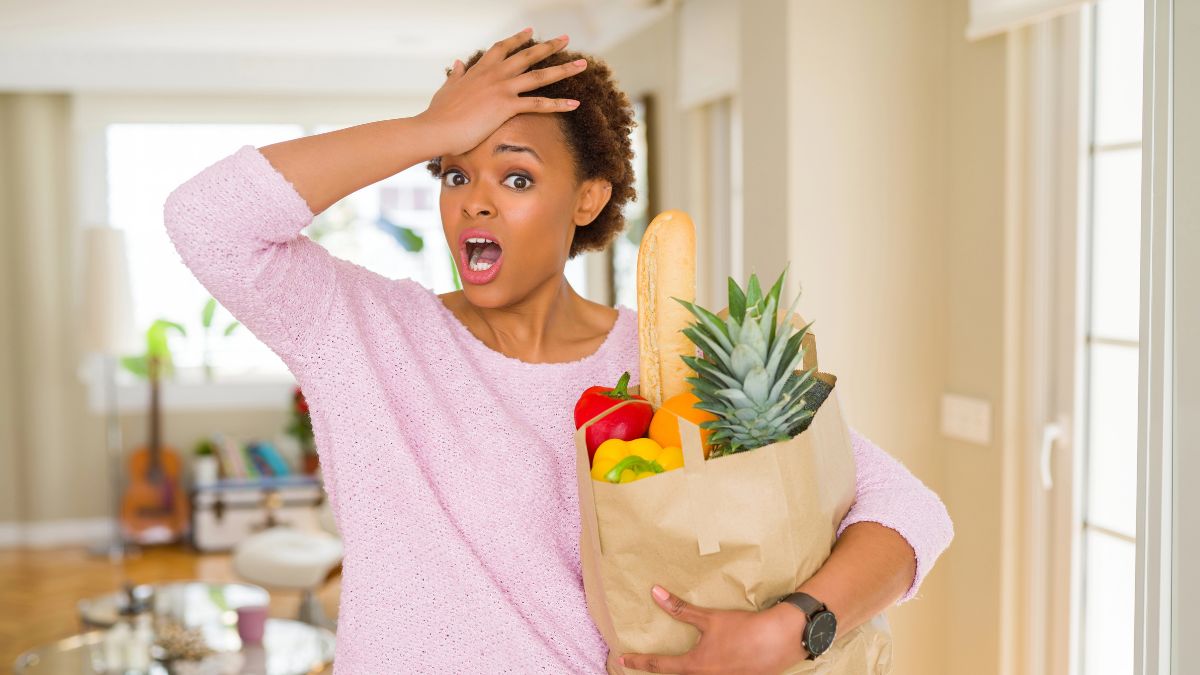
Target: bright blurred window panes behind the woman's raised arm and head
point(392, 228)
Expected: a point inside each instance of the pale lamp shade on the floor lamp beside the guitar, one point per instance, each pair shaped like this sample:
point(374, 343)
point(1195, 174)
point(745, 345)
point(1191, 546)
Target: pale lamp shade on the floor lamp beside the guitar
point(107, 300)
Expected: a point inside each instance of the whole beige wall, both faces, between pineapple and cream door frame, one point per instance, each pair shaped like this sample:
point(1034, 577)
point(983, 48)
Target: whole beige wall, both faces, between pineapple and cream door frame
point(898, 171)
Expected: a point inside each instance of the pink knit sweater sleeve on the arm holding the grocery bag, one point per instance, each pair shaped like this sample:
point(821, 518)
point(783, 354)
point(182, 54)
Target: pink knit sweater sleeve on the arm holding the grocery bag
point(890, 494)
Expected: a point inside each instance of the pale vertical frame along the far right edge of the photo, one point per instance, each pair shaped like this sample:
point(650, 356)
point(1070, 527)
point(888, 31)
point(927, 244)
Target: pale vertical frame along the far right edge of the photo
point(1169, 390)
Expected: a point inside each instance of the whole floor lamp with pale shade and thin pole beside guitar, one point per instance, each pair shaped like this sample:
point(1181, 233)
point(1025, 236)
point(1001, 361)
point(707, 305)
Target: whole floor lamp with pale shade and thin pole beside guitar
point(110, 333)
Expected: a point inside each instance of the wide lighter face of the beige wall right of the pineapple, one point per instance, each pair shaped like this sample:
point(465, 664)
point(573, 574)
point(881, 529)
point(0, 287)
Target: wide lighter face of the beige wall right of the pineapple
point(868, 240)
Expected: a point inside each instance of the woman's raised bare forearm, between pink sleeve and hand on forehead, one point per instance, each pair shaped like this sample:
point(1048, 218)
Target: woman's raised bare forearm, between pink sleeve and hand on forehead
point(329, 166)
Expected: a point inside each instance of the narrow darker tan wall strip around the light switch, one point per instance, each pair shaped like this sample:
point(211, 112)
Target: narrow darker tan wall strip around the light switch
point(975, 360)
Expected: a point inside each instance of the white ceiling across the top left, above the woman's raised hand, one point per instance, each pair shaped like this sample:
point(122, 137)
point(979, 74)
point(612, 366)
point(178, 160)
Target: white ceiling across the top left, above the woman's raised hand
point(394, 46)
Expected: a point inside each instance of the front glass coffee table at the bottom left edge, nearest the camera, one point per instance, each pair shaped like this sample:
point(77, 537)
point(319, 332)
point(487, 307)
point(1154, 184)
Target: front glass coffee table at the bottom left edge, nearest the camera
point(290, 648)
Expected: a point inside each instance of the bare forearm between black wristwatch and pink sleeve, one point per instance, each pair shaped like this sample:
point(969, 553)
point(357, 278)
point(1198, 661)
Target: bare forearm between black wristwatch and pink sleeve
point(871, 569)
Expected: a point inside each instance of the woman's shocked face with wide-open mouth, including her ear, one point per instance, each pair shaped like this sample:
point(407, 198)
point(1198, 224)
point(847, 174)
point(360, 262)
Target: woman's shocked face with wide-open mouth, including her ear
point(511, 207)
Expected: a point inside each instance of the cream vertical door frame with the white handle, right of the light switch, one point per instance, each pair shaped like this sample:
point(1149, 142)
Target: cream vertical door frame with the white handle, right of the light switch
point(1043, 345)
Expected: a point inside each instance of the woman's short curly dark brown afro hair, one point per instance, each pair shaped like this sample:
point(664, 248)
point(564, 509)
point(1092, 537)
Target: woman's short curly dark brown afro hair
point(598, 134)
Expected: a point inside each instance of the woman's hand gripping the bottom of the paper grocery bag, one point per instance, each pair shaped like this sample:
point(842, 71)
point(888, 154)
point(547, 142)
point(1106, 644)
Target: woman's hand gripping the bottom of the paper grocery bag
point(730, 641)
